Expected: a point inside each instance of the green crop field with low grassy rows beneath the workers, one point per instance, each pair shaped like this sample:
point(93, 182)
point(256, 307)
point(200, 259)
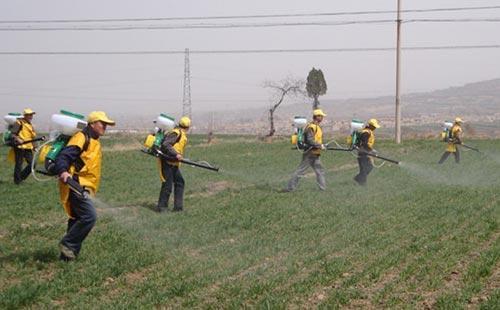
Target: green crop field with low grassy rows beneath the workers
point(419, 235)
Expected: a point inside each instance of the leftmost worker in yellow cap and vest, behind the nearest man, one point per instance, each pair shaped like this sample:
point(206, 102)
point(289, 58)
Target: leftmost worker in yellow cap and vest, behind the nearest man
point(23, 131)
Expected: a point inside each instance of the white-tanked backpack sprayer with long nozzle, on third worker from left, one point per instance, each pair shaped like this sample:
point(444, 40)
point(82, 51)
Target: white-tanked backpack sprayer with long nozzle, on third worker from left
point(152, 143)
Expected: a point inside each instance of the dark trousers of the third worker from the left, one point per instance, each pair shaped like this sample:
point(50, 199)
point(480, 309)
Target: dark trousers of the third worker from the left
point(173, 178)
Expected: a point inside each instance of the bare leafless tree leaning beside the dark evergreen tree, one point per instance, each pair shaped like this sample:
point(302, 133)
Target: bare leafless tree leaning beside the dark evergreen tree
point(288, 87)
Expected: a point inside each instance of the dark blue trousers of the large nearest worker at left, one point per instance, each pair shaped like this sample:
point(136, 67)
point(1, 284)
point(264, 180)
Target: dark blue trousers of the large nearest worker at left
point(79, 227)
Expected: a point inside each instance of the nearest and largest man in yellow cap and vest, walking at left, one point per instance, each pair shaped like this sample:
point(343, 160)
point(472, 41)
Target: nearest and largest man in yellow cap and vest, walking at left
point(81, 161)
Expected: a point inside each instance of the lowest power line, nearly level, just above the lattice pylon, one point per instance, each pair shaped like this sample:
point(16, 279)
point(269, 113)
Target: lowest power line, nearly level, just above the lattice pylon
point(255, 51)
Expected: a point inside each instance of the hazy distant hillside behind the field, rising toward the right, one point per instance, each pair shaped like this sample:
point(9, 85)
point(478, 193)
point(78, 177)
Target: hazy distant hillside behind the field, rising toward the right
point(477, 102)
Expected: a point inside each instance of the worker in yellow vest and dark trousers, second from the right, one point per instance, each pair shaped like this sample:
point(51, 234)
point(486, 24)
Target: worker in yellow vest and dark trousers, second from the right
point(366, 143)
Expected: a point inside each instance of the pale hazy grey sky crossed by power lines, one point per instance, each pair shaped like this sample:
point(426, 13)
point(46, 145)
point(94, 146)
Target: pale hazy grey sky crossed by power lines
point(136, 85)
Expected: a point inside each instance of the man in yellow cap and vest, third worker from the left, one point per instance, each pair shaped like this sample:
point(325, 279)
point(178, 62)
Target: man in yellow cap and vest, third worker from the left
point(173, 146)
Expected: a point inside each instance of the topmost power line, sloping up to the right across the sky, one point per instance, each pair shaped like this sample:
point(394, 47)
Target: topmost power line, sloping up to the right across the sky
point(449, 9)
